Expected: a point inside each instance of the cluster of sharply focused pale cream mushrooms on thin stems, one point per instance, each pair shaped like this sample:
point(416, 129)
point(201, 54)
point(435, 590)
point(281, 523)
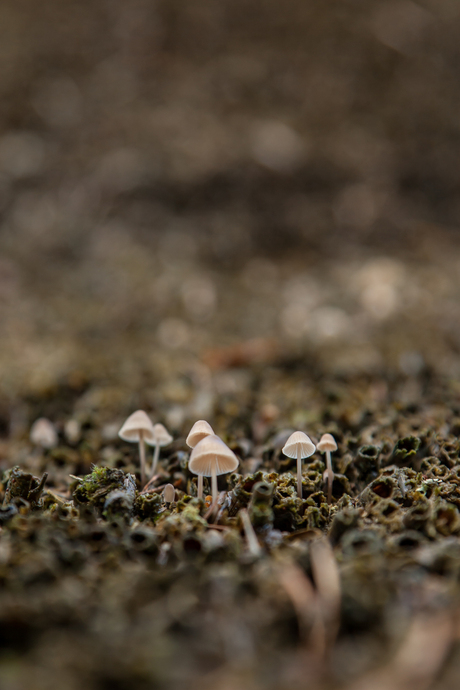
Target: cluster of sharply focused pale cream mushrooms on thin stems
point(211, 457)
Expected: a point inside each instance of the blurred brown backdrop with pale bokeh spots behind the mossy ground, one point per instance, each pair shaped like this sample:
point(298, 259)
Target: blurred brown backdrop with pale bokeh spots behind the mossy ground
point(197, 186)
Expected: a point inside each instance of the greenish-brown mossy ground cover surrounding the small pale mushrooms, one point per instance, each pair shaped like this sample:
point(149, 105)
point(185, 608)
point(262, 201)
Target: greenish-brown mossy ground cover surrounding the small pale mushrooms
point(104, 584)
